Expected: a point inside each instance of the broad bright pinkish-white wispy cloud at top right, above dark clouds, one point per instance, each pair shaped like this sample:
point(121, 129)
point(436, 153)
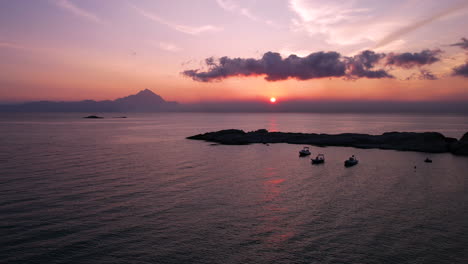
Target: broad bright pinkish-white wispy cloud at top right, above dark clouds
point(353, 23)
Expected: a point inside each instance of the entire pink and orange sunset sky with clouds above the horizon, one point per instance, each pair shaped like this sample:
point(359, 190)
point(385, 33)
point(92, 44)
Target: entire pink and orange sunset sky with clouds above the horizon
point(226, 50)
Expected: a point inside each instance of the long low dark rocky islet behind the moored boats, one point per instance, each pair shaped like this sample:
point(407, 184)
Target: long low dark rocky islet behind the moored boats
point(431, 142)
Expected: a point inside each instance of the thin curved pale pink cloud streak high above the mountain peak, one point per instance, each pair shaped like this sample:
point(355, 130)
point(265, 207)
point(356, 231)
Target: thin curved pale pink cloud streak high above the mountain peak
point(192, 30)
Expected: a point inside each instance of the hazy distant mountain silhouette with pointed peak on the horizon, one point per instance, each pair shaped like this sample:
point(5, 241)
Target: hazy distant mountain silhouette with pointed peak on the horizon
point(143, 101)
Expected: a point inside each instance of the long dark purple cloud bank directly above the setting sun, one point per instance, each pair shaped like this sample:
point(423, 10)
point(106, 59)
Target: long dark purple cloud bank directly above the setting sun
point(315, 65)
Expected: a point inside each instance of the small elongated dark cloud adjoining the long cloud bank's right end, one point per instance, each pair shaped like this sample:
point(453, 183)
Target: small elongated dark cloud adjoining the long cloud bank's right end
point(409, 60)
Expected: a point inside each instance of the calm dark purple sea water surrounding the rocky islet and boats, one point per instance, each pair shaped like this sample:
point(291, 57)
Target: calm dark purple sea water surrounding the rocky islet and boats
point(134, 190)
